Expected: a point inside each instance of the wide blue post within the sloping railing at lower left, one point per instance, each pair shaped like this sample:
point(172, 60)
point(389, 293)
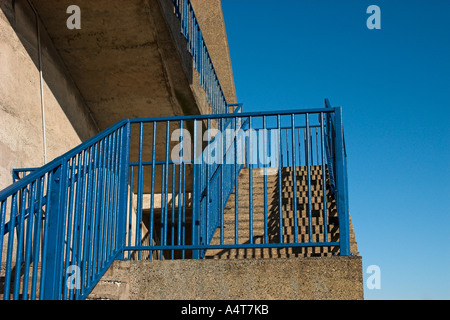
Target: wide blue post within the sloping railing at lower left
point(54, 245)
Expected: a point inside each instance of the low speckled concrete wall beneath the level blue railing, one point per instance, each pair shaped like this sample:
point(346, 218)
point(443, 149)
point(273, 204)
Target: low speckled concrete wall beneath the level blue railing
point(330, 278)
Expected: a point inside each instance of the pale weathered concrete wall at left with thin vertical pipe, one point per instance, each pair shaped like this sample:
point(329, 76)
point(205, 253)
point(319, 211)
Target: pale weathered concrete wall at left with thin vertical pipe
point(67, 118)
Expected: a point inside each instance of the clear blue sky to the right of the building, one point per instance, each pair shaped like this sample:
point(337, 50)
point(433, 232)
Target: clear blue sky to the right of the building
point(394, 87)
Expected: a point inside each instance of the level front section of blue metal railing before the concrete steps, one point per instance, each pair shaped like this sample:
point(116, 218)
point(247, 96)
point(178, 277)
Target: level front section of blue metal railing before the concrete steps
point(182, 221)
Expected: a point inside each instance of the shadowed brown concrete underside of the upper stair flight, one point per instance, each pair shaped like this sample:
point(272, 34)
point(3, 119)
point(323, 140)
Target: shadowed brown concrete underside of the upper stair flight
point(128, 60)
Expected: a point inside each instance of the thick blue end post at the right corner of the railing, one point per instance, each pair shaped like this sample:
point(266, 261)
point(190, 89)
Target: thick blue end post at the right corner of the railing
point(341, 185)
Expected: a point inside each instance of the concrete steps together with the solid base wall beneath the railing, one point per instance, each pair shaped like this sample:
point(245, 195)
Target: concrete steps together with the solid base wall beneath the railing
point(123, 279)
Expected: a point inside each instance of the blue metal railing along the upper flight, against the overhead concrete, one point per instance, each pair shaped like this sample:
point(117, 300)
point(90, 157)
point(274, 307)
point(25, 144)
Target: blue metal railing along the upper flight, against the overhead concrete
point(190, 28)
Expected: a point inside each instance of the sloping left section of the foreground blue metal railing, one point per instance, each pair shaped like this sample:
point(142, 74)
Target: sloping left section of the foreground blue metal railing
point(60, 224)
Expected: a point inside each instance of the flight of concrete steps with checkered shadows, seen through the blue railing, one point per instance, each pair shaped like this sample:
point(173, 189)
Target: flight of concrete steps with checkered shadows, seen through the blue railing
point(273, 207)
